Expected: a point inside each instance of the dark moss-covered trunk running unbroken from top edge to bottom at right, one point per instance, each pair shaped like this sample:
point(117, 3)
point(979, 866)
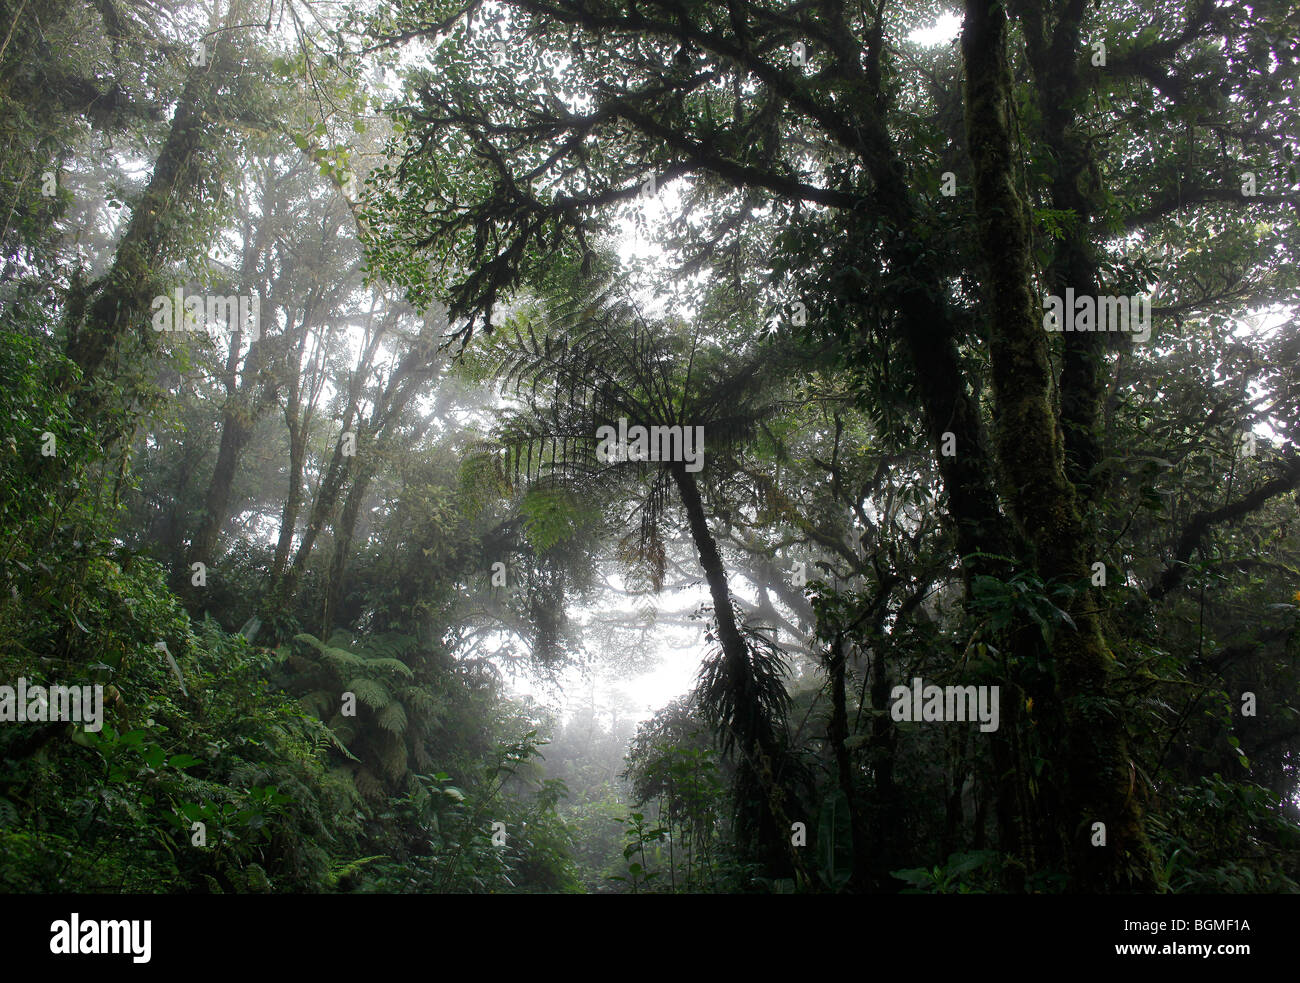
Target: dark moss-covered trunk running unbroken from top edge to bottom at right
point(1097, 769)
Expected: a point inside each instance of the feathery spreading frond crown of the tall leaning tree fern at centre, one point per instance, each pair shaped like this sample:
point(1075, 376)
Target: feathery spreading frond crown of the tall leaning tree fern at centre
point(587, 362)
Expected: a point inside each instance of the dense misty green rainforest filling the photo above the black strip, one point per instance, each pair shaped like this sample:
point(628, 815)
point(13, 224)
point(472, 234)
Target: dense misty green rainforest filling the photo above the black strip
point(324, 548)
